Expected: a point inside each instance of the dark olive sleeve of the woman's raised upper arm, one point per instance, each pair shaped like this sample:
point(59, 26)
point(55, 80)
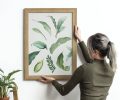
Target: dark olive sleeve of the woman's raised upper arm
point(85, 52)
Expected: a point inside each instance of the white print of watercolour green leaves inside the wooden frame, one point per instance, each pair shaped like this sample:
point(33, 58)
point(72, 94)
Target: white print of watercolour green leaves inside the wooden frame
point(50, 43)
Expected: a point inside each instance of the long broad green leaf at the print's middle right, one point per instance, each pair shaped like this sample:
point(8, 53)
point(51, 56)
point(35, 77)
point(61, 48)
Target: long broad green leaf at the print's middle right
point(59, 42)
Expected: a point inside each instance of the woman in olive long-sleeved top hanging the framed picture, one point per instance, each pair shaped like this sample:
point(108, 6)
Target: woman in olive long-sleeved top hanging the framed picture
point(96, 75)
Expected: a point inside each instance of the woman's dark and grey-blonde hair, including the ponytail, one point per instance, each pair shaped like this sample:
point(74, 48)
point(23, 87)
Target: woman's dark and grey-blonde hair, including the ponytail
point(102, 43)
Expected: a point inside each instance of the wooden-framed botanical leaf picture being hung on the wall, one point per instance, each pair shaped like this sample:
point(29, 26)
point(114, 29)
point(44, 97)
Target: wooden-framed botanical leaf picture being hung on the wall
point(50, 47)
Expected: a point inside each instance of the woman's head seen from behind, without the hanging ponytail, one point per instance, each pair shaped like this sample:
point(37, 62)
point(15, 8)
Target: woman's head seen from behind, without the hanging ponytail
point(98, 43)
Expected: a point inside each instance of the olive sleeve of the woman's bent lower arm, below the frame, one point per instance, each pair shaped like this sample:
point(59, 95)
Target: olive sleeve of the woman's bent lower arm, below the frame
point(75, 79)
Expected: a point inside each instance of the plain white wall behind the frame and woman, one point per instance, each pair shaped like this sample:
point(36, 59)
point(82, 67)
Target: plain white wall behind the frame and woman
point(93, 16)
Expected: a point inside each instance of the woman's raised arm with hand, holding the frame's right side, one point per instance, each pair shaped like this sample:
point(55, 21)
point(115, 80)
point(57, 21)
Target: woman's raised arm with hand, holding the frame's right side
point(82, 45)
